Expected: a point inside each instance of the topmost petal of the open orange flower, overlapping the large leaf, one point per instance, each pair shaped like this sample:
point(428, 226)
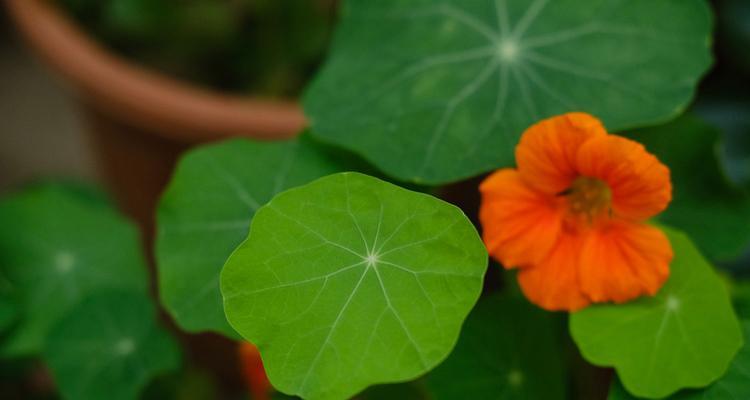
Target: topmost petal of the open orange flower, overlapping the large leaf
point(547, 151)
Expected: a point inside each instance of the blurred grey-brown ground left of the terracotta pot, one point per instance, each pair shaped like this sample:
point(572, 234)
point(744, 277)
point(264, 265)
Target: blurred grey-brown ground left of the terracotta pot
point(31, 146)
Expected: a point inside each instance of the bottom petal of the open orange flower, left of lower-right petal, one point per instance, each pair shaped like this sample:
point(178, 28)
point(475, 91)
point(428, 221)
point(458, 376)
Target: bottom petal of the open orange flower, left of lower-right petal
point(553, 284)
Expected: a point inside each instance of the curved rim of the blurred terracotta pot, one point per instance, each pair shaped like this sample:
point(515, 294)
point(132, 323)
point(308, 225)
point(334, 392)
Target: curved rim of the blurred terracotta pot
point(142, 98)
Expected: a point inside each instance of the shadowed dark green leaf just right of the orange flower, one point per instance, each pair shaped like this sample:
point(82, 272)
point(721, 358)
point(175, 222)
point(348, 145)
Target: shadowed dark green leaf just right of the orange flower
point(715, 214)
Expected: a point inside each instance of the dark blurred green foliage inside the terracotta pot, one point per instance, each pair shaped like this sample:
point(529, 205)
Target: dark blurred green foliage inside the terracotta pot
point(268, 47)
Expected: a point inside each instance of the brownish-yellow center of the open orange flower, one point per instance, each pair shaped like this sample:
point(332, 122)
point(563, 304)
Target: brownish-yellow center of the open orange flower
point(589, 197)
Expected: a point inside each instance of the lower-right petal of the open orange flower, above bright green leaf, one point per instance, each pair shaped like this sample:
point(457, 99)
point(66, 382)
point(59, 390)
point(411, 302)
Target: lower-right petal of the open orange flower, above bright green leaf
point(624, 260)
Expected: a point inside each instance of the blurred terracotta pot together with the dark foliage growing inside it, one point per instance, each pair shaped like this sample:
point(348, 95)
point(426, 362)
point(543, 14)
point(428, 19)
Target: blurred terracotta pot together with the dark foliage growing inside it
point(141, 112)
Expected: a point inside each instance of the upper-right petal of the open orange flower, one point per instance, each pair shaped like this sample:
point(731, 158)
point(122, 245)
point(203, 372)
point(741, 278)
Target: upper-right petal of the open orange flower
point(640, 184)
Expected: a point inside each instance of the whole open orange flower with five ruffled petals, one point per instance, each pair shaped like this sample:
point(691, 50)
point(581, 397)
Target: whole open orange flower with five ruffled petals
point(571, 217)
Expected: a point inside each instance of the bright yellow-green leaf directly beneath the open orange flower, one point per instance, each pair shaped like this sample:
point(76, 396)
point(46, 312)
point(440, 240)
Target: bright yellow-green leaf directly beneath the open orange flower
point(684, 337)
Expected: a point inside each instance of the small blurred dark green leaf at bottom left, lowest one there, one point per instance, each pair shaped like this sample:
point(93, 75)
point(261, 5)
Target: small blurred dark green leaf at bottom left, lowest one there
point(109, 347)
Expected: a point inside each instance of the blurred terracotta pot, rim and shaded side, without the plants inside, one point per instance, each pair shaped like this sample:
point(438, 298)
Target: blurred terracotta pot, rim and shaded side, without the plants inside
point(139, 120)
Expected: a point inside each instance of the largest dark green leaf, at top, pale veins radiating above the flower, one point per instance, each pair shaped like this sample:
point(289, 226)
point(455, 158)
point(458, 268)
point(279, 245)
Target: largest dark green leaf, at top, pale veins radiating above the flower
point(436, 91)
